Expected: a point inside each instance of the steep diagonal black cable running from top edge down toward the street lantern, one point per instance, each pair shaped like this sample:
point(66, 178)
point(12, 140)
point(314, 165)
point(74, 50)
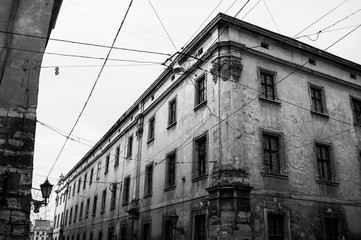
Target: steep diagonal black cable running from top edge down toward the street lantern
point(94, 85)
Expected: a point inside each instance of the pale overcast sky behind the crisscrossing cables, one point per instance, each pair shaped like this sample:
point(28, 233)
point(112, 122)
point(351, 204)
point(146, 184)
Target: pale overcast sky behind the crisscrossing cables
point(62, 97)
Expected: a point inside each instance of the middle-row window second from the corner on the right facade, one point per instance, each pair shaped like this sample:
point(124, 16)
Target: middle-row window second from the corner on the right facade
point(323, 162)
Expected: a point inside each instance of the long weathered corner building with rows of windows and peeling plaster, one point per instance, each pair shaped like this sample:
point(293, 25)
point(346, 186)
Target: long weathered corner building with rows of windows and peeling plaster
point(247, 135)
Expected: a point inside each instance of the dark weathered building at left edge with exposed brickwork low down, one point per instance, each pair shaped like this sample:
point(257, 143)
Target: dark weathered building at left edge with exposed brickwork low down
point(25, 27)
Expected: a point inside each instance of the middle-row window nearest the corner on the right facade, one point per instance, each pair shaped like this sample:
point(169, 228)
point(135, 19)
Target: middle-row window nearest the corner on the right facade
point(272, 162)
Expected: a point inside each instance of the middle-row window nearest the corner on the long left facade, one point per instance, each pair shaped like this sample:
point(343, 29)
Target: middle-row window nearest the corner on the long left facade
point(200, 156)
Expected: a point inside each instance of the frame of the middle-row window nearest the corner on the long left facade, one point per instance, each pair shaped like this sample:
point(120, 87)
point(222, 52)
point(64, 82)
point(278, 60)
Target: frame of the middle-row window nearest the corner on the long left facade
point(196, 156)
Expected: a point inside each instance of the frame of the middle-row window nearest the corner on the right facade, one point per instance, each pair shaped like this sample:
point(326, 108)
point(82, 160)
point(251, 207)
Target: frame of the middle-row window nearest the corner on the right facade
point(281, 157)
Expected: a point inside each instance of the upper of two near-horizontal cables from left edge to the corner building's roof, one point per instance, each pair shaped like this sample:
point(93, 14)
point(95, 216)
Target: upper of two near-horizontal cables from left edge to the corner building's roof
point(86, 43)
